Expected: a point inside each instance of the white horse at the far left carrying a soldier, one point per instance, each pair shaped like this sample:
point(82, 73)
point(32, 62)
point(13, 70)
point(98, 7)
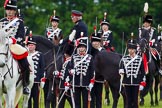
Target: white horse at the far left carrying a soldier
point(9, 76)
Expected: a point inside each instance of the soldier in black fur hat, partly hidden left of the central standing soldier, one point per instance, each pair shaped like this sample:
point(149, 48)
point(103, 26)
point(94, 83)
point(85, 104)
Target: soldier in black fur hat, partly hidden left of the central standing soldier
point(65, 76)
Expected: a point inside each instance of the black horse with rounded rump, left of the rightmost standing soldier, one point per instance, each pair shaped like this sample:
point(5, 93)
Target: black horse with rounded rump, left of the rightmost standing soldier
point(107, 64)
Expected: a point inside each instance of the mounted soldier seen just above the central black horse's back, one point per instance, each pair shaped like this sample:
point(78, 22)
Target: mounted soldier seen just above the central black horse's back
point(107, 35)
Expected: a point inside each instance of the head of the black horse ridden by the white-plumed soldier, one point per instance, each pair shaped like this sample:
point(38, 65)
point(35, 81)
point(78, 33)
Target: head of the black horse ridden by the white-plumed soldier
point(143, 44)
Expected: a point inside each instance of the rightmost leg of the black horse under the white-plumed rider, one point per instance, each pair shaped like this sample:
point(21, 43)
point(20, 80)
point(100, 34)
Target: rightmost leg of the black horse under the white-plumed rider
point(157, 80)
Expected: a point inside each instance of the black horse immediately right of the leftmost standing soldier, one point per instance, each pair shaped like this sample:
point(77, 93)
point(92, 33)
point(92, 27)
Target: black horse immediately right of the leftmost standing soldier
point(53, 61)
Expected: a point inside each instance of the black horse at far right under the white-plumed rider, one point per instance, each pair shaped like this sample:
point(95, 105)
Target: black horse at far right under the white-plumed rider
point(152, 74)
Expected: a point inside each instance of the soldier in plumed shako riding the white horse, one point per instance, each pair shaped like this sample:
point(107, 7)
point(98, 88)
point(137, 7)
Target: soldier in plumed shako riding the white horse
point(19, 53)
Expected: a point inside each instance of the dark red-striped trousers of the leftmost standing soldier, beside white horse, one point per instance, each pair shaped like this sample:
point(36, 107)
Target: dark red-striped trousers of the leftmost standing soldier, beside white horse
point(35, 91)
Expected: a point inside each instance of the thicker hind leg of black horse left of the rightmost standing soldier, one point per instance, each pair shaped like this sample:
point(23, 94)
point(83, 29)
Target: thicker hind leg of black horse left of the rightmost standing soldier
point(115, 94)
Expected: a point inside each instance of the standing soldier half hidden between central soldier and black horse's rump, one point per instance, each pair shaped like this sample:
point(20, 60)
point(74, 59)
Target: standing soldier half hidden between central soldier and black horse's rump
point(96, 93)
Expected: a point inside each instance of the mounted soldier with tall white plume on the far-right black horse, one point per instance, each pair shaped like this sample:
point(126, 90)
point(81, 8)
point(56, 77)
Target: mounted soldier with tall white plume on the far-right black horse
point(150, 34)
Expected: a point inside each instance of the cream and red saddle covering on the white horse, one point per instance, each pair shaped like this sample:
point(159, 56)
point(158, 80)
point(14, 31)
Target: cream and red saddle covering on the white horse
point(18, 52)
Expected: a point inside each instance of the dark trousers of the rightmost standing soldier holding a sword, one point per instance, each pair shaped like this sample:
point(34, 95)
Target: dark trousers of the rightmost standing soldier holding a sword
point(132, 96)
